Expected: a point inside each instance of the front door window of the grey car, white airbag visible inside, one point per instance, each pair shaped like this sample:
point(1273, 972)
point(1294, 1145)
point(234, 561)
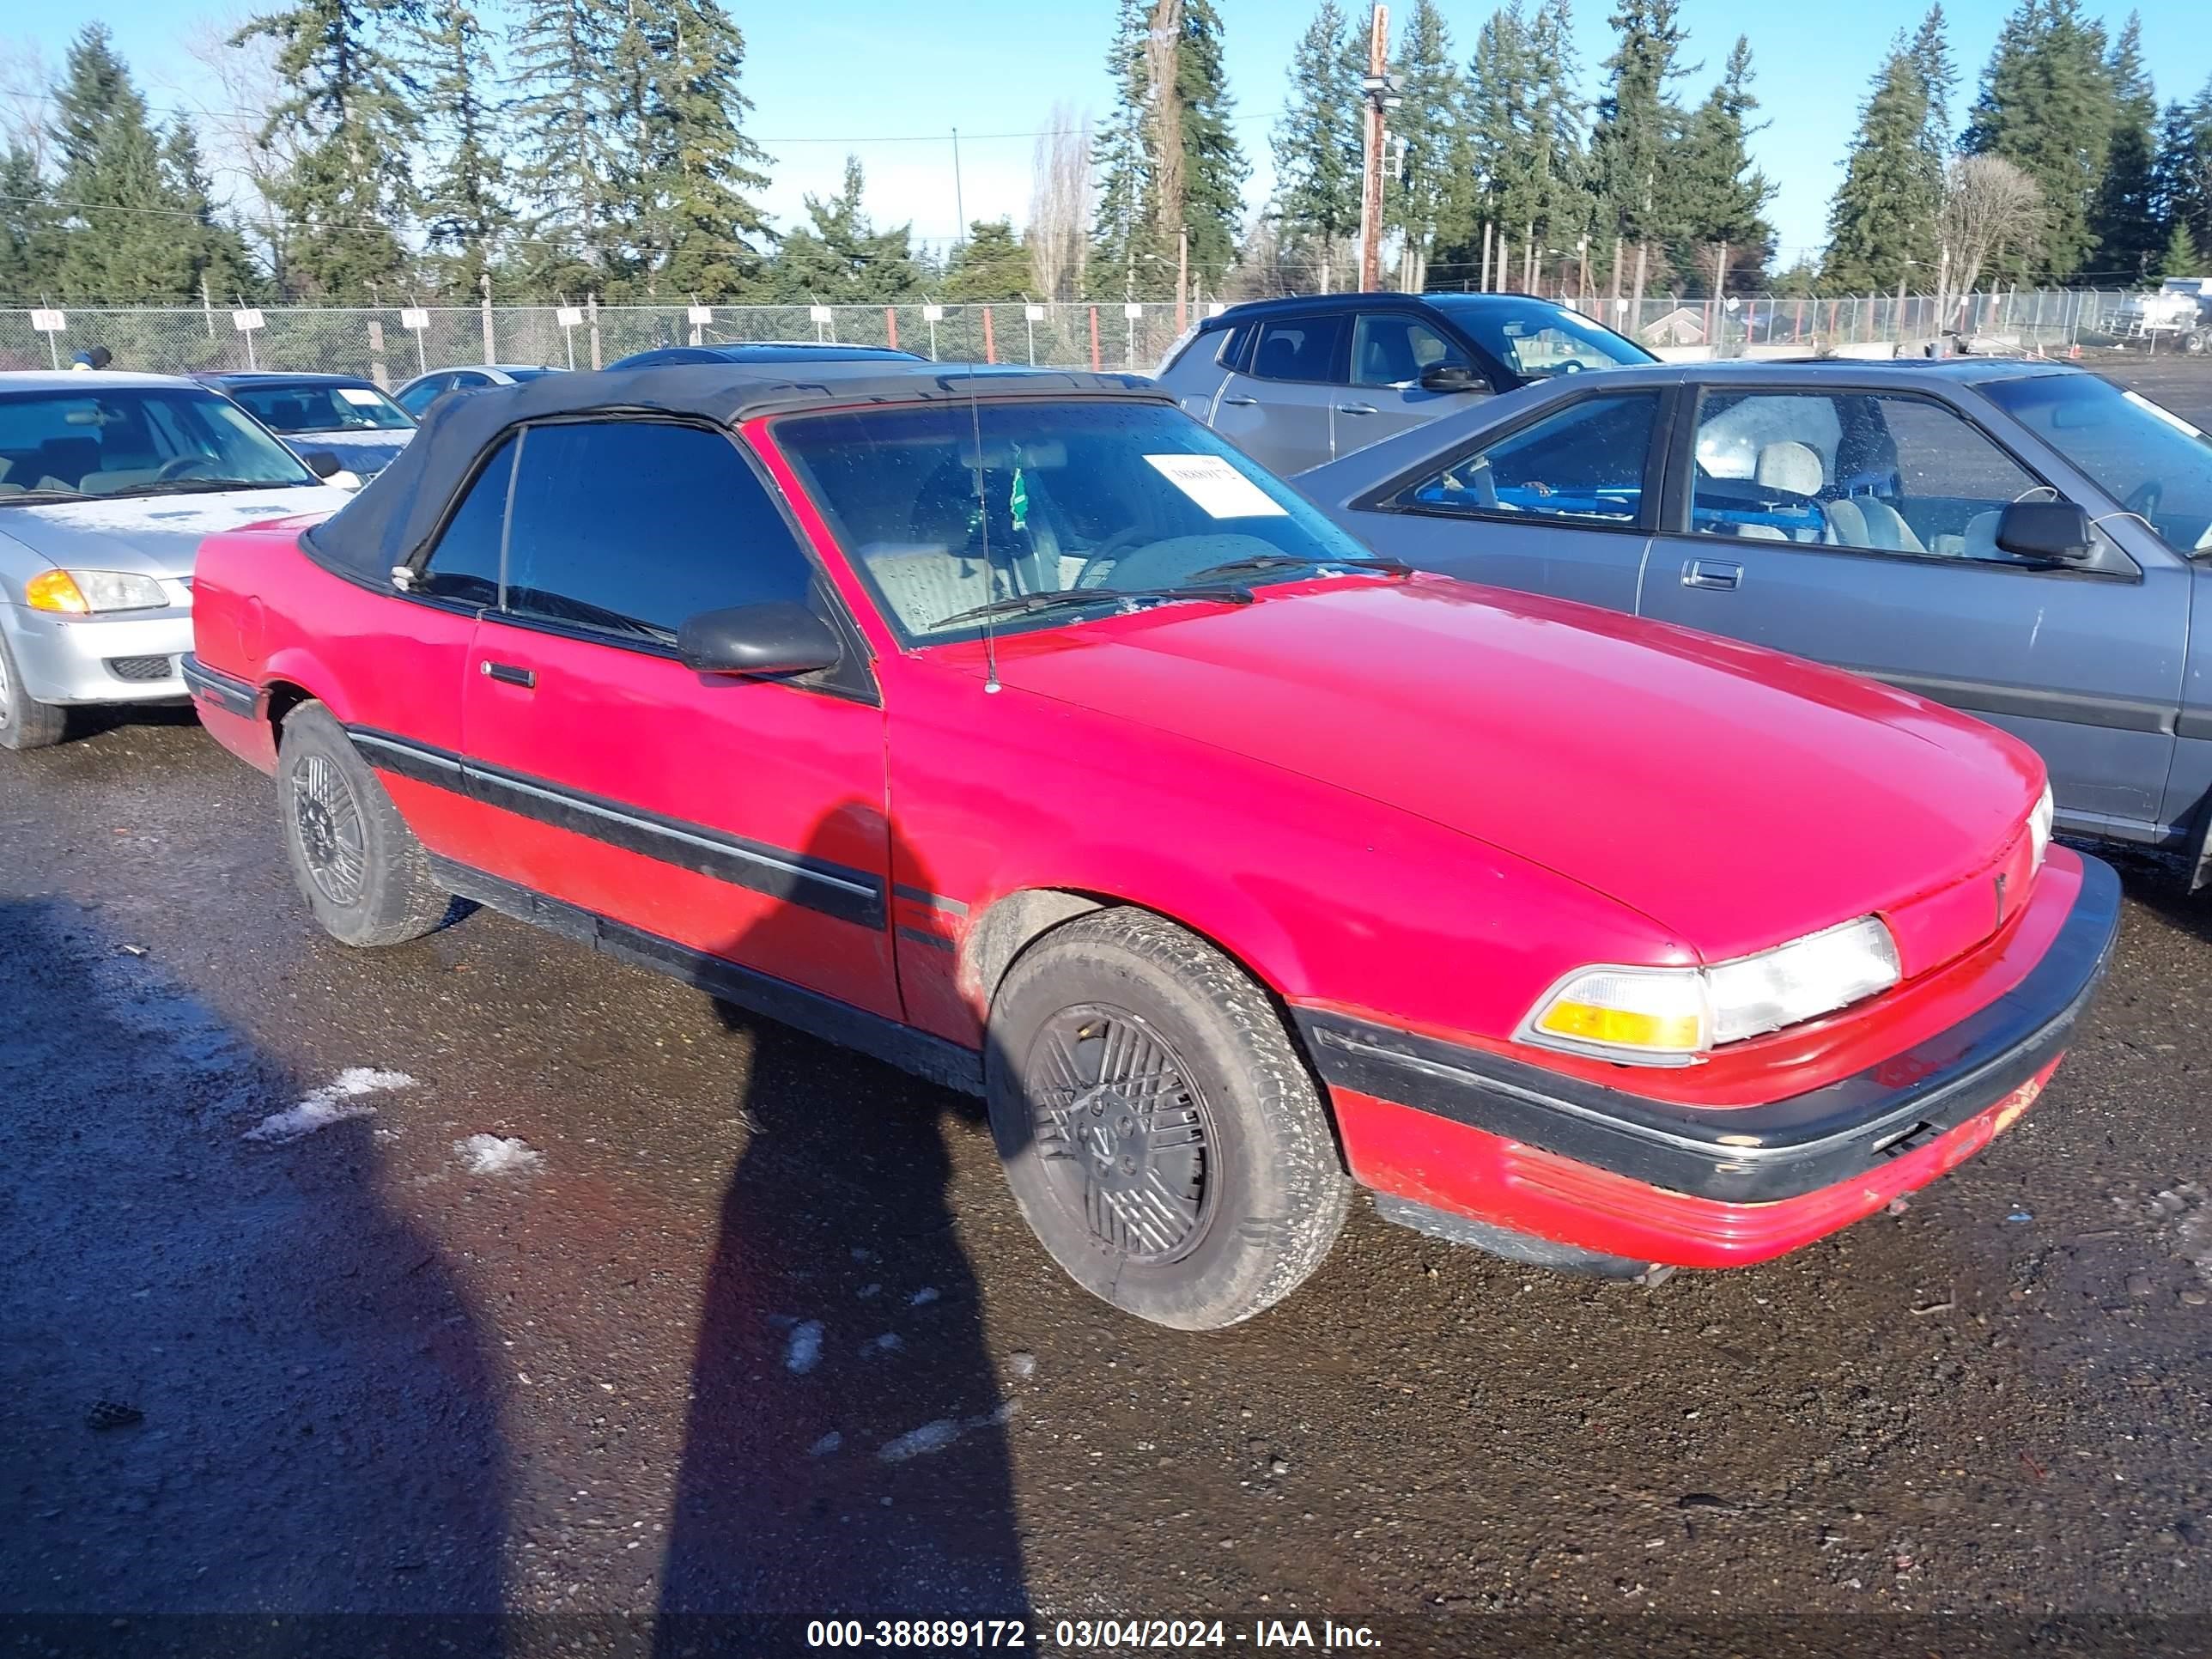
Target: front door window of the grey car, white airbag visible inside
point(1859, 470)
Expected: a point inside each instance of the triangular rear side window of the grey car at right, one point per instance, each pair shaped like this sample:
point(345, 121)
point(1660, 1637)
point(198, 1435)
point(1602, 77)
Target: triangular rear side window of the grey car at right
point(1580, 466)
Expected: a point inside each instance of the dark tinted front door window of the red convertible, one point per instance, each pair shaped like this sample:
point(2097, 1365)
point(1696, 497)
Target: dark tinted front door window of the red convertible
point(634, 528)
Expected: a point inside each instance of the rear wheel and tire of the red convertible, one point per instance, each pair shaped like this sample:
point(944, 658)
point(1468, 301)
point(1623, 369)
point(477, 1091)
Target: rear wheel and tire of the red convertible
point(355, 859)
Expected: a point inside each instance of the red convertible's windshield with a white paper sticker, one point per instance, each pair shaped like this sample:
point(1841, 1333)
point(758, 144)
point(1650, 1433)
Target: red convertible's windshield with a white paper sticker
point(952, 508)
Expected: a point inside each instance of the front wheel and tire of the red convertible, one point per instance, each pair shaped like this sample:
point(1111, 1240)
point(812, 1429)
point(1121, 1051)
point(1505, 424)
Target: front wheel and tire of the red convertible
point(1158, 1127)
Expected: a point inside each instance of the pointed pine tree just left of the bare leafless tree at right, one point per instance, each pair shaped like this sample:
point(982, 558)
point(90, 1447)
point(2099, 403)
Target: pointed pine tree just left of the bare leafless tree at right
point(1884, 218)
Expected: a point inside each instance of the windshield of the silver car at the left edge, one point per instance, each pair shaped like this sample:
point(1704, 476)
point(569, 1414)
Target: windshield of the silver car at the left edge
point(134, 441)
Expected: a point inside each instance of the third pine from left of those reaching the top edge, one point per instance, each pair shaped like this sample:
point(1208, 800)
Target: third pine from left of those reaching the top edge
point(561, 54)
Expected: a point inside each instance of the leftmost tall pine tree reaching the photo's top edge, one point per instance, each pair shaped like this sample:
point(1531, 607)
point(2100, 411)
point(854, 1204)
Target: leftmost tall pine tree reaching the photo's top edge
point(353, 109)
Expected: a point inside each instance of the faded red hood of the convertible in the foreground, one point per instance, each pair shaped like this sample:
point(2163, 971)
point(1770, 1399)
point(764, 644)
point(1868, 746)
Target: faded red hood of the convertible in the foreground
point(1733, 795)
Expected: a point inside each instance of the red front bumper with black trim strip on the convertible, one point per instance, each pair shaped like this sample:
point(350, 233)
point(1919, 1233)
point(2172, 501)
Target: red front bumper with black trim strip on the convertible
point(1525, 1149)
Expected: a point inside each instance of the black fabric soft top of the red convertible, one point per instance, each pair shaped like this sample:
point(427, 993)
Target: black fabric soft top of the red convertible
point(397, 512)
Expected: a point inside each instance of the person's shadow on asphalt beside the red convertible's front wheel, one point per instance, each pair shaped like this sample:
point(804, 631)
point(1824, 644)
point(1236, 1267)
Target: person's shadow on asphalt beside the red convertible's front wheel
point(846, 1448)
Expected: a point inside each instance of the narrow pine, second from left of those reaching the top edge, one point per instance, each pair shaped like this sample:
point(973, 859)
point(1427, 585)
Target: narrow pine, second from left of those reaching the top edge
point(466, 207)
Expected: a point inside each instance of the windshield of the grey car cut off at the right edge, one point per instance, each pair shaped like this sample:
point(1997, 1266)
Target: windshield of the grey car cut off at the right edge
point(2145, 457)
